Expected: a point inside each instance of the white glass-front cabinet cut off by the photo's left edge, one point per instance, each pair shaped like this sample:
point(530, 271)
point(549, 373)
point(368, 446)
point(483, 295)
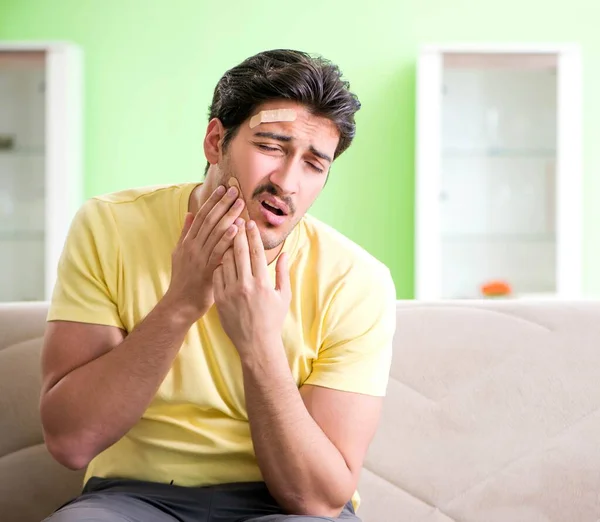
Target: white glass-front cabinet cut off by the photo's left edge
point(40, 163)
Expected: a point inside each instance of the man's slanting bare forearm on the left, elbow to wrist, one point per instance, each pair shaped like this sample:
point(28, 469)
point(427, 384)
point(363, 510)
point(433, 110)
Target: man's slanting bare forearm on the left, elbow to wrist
point(95, 405)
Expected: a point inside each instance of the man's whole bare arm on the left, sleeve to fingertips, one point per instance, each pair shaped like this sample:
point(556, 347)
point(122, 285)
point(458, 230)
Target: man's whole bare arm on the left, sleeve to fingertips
point(81, 414)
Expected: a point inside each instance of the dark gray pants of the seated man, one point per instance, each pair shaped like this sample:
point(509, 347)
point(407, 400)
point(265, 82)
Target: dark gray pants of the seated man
point(111, 500)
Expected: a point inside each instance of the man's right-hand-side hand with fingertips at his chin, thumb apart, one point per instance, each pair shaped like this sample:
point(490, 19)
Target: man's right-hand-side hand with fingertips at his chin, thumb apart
point(251, 311)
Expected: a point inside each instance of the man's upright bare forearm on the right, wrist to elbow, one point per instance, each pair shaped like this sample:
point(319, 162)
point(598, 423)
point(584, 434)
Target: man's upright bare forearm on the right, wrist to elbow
point(302, 468)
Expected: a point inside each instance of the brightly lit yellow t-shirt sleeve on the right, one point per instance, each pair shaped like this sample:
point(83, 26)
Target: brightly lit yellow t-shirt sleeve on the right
point(359, 326)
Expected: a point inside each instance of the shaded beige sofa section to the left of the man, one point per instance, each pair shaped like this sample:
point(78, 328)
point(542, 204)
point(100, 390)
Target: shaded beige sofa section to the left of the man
point(32, 484)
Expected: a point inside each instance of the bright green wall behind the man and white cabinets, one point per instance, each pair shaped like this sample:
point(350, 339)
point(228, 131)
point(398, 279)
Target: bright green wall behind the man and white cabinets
point(151, 66)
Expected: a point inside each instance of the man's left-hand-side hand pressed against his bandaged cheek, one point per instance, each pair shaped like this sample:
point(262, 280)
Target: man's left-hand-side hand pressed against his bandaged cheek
point(203, 241)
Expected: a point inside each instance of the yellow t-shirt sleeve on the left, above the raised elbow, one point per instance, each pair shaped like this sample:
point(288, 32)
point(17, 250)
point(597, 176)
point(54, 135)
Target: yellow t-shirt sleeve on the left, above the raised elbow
point(87, 275)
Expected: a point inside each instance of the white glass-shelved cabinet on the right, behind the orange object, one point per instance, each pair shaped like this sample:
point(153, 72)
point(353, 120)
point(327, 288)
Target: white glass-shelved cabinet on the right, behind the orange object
point(498, 187)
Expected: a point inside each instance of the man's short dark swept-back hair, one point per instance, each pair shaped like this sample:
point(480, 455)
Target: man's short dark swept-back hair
point(286, 75)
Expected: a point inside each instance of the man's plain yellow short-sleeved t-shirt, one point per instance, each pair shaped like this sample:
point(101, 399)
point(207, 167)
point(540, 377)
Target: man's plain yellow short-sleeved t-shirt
point(115, 267)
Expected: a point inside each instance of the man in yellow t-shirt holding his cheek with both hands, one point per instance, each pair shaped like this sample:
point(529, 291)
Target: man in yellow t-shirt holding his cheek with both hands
point(221, 356)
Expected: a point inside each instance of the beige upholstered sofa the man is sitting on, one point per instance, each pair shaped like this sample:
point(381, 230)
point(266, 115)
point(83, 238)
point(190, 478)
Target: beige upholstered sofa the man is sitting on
point(492, 415)
